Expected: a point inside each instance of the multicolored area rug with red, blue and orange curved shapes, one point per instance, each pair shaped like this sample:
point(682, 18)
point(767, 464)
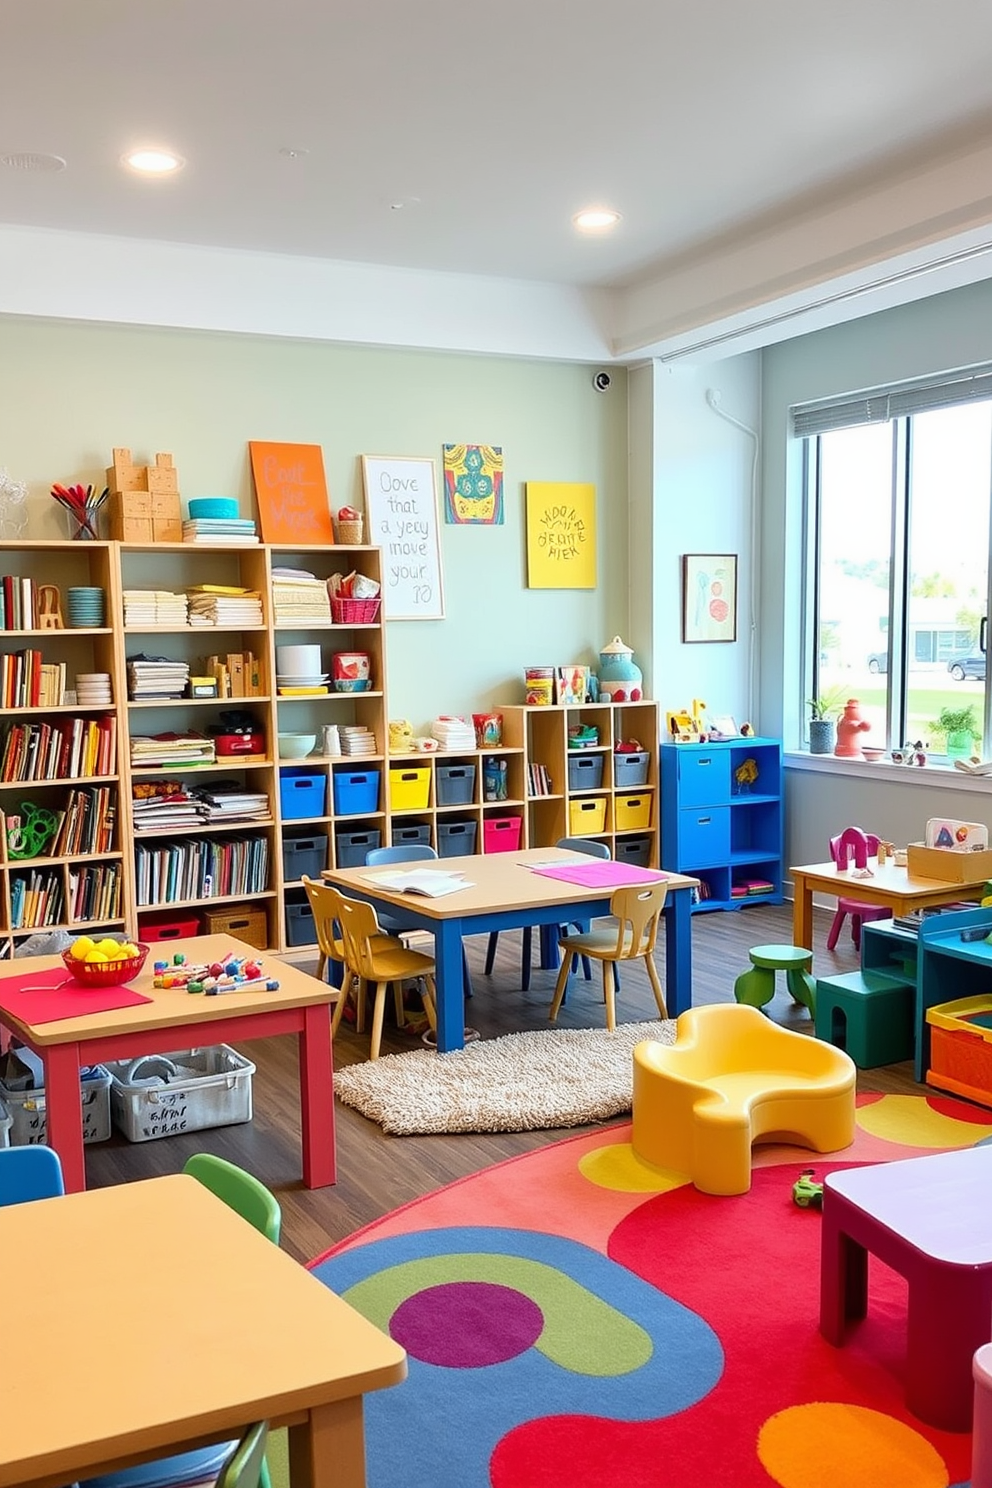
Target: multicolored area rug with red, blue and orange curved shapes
point(576, 1319)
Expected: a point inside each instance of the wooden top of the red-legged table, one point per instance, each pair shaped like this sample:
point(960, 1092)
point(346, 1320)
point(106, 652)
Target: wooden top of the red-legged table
point(170, 1008)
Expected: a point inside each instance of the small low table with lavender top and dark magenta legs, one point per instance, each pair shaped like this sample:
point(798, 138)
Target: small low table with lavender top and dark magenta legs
point(932, 1221)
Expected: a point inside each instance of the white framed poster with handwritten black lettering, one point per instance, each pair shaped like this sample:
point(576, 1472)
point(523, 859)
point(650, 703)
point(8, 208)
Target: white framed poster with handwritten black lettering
point(402, 508)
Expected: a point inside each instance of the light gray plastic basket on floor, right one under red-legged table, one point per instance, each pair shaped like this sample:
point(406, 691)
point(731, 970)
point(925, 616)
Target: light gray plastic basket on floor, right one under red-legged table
point(166, 1094)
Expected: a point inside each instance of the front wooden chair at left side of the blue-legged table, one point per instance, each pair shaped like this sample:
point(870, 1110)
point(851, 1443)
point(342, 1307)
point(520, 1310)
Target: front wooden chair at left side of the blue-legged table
point(379, 961)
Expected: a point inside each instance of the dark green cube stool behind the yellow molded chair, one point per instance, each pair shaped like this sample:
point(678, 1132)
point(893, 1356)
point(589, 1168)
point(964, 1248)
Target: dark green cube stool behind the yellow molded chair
point(869, 1014)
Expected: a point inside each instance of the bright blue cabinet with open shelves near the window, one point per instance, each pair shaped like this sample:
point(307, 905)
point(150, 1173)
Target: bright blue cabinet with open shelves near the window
point(722, 819)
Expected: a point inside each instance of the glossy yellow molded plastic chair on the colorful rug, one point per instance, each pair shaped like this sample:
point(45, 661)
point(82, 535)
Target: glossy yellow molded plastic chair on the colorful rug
point(734, 1078)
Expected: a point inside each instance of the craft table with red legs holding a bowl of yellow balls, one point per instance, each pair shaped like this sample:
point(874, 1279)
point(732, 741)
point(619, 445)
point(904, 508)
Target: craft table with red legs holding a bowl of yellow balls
point(175, 1019)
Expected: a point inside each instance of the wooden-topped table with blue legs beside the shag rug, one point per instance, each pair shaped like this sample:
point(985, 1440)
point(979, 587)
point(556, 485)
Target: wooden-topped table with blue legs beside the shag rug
point(505, 894)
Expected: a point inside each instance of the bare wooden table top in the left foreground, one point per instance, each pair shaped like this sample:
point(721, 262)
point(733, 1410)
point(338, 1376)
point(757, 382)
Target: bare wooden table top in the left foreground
point(154, 1315)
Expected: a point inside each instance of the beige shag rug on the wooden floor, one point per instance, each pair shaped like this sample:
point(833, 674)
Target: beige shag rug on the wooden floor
point(520, 1083)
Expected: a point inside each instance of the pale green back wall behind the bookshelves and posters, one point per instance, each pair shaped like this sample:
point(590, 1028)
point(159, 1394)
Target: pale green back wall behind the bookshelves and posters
point(71, 392)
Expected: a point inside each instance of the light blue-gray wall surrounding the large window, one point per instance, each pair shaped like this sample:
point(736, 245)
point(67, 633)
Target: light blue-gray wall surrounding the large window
point(929, 337)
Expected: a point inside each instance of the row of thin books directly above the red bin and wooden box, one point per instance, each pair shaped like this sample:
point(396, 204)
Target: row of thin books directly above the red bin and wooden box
point(200, 868)
